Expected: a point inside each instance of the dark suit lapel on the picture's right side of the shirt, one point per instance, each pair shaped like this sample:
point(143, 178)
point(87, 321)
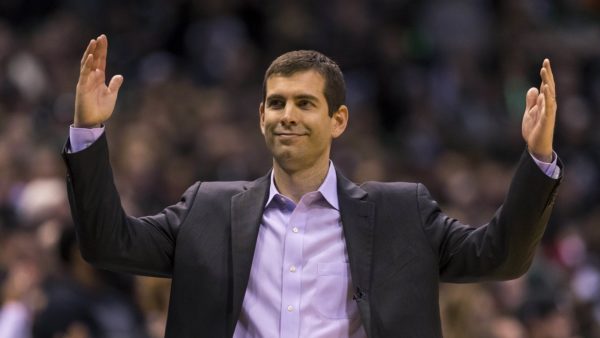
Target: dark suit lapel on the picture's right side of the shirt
point(357, 220)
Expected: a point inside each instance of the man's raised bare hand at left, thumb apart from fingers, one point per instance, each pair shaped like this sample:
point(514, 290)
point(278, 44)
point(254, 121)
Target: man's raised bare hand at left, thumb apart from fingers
point(94, 100)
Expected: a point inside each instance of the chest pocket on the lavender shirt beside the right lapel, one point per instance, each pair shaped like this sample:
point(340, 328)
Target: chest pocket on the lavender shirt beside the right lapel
point(334, 291)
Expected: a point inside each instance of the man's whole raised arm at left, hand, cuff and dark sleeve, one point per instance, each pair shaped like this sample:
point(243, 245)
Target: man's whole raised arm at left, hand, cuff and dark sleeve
point(108, 237)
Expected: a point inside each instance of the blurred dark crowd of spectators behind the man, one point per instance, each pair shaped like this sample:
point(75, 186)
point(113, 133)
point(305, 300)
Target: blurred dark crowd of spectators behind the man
point(436, 94)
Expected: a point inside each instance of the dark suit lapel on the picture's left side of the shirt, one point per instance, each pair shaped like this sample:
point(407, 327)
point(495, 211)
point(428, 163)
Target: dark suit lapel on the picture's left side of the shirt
point(246, 214)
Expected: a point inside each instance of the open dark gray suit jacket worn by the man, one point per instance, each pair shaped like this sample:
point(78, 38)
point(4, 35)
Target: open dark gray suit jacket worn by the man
point(400, 245)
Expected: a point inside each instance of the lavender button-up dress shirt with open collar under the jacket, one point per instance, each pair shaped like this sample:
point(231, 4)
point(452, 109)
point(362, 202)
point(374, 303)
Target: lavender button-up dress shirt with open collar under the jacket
point(300, 284)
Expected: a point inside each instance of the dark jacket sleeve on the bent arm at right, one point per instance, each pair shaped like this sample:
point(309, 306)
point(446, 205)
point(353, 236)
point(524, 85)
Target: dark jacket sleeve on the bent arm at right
point(503, 248)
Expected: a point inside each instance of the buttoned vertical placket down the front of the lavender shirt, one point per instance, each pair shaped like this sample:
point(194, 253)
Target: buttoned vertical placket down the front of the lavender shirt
point(291, 288)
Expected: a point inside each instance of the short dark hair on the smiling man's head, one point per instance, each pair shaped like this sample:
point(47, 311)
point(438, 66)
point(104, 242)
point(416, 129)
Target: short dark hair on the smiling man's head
point(304, 60)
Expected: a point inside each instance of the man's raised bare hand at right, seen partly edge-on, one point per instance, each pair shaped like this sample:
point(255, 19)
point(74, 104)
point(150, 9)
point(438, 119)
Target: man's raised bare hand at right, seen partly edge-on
point(540, 115)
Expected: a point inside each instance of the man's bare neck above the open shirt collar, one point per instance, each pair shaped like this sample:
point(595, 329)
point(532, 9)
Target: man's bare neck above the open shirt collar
point(295, 183)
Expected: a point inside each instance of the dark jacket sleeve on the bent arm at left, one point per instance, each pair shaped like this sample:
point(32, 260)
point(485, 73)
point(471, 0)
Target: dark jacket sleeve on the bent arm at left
point(108, 237)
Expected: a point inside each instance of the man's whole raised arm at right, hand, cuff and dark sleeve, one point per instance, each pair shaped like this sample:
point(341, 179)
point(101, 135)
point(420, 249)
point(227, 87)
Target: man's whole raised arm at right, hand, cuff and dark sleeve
point(504, 248)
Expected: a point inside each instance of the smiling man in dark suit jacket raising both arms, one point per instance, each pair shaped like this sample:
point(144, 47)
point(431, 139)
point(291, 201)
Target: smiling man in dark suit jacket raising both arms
point(302, 251)
